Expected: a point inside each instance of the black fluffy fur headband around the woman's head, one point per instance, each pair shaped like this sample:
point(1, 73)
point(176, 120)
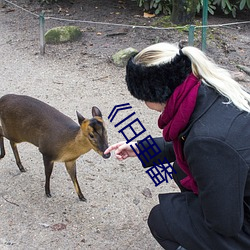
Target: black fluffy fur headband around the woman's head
point(156, 83)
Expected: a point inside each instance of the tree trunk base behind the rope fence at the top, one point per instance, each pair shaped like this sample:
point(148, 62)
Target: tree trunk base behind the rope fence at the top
point(183, 11)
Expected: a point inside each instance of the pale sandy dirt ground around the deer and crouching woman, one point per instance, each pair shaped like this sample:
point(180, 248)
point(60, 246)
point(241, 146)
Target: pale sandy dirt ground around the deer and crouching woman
point(74, 77)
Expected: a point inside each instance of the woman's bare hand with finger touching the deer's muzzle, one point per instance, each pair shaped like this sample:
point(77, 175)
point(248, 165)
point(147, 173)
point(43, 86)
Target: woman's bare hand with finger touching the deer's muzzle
point(122, 150)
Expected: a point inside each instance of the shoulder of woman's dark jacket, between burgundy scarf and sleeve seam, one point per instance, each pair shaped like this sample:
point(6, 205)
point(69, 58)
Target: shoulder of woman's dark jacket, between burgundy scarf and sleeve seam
point(215, 118)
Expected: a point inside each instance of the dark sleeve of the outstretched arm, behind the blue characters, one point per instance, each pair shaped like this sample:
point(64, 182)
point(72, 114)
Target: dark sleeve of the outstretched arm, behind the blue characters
point(166, 151)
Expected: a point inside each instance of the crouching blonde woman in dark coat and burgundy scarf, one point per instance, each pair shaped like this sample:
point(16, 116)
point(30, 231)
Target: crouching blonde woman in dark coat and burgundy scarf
point(205, 118)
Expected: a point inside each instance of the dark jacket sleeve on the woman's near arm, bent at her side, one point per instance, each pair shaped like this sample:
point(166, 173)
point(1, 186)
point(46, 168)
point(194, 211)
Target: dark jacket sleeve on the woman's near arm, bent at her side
point(220, 173)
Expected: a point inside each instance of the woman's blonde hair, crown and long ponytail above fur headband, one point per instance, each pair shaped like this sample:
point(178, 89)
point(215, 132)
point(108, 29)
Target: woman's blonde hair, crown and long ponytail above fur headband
point(202, 67)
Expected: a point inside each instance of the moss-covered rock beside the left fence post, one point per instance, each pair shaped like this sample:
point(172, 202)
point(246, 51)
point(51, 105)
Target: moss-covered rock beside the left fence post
point(63, 34)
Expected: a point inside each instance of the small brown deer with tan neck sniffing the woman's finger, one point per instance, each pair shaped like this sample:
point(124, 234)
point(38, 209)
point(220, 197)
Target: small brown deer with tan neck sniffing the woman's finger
point(59, 138)
